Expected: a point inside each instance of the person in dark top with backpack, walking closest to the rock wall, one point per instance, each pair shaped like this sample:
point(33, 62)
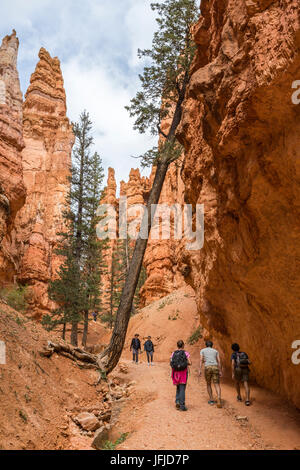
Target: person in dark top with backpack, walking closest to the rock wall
point(240, 371)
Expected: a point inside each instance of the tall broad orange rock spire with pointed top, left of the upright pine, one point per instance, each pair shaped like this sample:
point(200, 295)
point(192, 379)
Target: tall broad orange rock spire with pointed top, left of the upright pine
point(46, 165)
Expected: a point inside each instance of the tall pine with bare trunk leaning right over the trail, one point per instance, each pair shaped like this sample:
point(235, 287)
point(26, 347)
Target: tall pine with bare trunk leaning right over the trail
point(164, 83)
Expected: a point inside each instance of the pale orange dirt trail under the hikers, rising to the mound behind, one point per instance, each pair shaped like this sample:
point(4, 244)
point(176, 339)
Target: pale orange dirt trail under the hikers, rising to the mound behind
point(150, 415)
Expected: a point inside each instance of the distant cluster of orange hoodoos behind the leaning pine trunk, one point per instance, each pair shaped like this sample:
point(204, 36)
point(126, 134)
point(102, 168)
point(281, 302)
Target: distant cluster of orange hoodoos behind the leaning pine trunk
point(161, 256)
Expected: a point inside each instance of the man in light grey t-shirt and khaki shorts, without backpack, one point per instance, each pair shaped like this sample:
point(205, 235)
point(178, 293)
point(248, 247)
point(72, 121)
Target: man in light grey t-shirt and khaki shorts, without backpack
point(213, 371)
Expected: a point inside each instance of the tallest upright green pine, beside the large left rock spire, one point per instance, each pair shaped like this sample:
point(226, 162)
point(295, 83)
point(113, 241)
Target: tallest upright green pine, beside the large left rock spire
point(77, 287)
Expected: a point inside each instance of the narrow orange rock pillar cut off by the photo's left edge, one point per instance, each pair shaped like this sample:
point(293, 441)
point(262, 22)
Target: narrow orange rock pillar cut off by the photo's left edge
point(12, 189)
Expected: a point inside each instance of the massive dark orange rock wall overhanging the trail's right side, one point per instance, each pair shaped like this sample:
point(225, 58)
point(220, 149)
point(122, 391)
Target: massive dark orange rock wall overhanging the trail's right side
point(241, 134)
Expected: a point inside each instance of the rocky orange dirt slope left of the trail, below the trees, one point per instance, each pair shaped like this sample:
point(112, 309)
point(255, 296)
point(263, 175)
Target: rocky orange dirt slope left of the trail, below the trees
point(51, 403)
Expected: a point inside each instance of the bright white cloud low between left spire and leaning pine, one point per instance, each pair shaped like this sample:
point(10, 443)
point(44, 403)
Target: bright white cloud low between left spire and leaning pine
point(94, 89)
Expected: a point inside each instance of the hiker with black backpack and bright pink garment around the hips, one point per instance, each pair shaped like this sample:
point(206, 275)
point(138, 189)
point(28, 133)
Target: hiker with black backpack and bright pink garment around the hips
point(180, 360)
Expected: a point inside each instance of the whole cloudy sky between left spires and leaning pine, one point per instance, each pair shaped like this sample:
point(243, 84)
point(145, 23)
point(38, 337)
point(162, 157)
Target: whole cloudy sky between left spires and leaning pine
point(96, 42)
